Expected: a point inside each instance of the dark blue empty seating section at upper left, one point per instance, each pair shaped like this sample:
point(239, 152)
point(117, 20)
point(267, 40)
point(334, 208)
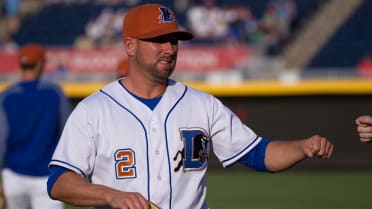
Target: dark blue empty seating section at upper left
point(56, 24)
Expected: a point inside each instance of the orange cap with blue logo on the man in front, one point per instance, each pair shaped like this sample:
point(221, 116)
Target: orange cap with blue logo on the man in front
point(152, 20)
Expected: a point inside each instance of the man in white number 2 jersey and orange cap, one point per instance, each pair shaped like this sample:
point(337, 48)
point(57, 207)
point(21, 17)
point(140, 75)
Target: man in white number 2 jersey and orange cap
point(146, 138)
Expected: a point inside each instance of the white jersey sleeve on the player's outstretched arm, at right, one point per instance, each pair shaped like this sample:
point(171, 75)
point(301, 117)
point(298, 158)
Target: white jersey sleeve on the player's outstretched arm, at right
point(231, 138)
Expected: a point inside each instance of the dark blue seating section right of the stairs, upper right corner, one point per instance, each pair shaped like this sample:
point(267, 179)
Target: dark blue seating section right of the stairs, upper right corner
point(349, 44)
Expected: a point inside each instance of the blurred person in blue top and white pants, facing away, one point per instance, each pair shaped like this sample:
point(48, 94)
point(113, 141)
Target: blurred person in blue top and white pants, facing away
point(32, 115)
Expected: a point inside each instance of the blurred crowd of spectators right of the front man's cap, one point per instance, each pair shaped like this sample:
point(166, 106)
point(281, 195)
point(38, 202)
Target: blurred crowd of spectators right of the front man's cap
point(238, 24)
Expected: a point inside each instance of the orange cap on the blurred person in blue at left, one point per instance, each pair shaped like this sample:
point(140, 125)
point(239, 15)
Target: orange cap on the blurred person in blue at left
point(31, 54)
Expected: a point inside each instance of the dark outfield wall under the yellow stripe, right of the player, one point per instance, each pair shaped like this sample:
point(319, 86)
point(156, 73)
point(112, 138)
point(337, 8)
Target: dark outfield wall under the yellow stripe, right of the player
point(292, 117)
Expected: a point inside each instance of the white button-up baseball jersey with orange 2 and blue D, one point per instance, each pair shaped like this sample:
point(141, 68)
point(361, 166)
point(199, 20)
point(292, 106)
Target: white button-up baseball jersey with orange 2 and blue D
point(161, 153)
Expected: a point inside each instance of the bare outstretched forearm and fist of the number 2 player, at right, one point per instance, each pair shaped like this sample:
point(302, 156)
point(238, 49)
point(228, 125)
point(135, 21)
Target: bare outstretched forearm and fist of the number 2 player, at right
point(281, 155)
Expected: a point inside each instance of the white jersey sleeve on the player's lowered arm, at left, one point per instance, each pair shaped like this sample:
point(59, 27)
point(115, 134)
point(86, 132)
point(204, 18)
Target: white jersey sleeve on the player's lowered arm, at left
point(76, 147)
